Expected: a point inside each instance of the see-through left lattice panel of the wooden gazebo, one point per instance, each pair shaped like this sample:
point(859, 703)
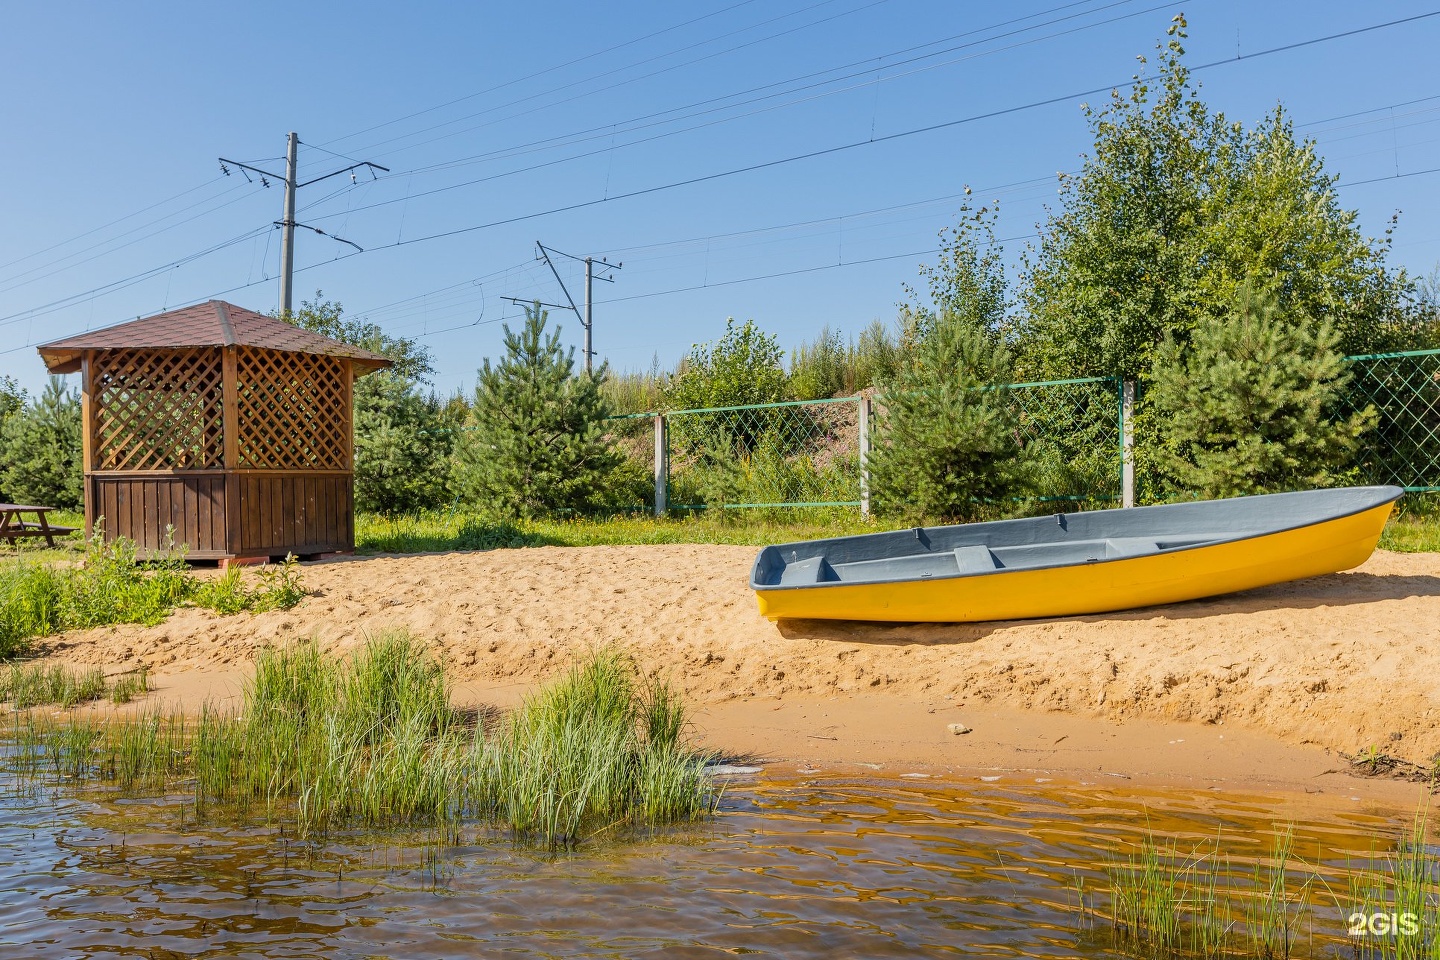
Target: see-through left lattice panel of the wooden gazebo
point(158, 409)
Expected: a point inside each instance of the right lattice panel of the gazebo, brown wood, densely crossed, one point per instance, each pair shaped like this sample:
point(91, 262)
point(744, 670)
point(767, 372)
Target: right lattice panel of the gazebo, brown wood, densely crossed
point(293, 411)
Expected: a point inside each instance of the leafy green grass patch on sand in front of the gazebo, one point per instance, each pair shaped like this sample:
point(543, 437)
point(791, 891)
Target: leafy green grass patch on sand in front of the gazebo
point(114, 587)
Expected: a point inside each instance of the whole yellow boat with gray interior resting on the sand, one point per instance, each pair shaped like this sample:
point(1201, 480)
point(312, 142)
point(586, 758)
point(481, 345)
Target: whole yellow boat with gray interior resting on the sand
point(1088, 562)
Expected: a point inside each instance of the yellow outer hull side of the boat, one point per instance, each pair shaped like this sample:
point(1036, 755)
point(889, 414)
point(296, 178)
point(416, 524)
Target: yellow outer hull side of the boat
point(1327, 546)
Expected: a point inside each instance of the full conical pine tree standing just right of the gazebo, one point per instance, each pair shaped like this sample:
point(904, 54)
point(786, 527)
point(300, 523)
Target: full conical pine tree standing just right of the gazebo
point(539, 444)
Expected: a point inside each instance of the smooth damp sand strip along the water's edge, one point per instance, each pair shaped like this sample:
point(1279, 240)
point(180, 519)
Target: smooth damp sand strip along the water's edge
point(896, 739)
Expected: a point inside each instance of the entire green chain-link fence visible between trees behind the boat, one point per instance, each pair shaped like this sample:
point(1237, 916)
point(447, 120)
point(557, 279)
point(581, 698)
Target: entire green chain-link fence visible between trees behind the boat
point(807, 453)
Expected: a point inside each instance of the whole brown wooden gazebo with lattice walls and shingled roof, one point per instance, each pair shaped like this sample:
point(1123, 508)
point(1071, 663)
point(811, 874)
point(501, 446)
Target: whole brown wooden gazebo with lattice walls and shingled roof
point(225, 427)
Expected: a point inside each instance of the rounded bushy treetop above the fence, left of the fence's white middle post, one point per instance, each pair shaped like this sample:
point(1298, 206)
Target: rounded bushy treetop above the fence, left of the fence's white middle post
point(744, 368)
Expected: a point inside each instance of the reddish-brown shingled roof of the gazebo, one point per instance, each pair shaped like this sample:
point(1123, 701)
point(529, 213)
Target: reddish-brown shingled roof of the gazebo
point(211, 325)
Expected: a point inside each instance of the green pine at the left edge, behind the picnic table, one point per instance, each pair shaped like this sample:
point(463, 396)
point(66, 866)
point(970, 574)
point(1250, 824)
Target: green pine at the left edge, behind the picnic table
point(41, 448)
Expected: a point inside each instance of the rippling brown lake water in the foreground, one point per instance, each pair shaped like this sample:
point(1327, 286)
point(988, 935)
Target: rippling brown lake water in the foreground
point(791, 869)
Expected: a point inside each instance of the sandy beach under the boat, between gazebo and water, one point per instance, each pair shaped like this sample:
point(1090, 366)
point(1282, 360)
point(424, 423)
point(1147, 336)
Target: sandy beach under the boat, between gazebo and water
point(1262, 689)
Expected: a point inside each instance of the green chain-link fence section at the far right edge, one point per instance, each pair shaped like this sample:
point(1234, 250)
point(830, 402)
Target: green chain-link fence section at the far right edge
point(1405, 445)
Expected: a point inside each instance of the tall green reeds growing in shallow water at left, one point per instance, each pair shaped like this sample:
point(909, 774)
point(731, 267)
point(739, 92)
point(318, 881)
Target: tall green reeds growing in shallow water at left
point(371, 741)
